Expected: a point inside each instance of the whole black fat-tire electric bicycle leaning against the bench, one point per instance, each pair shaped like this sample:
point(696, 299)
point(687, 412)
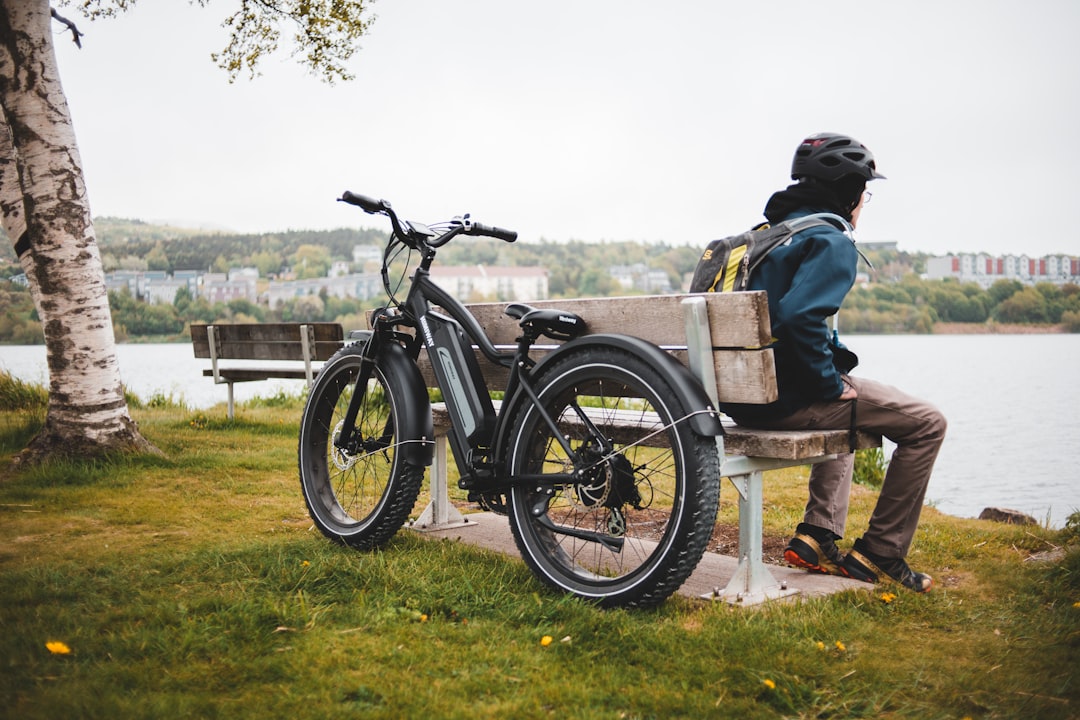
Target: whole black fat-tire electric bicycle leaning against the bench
point(603, 454)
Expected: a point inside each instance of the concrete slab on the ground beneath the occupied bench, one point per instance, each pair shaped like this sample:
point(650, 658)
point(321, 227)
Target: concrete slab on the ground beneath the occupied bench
point(712, 576)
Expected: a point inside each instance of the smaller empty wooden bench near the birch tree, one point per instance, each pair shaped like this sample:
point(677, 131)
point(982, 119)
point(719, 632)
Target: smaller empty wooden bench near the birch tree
point(281, 343)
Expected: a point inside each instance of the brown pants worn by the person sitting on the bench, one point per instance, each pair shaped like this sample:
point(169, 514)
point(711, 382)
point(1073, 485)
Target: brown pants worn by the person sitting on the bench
point(919, 430)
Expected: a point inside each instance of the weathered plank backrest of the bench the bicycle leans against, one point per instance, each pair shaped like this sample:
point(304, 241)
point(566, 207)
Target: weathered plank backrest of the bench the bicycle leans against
point(739, 328)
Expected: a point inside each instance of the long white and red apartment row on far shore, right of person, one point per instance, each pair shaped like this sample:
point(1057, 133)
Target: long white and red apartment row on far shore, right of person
point(985, 270)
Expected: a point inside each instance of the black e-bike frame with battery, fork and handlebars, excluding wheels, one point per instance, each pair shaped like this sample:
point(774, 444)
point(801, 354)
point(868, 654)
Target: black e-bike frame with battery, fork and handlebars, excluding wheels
point(476, 427)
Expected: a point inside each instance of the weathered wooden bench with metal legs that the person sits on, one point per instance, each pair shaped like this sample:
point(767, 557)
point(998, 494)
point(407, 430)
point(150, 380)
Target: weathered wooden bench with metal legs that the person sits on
point(723, 339)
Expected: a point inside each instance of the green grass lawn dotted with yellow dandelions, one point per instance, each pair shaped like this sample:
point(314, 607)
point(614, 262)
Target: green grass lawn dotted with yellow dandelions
point(194, 586)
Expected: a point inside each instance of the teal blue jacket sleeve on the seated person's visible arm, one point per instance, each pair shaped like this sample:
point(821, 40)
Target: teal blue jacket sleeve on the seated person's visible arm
point(825, 276)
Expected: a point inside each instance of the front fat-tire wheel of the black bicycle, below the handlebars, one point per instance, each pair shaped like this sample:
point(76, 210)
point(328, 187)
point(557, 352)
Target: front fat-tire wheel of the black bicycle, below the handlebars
point(358, 487)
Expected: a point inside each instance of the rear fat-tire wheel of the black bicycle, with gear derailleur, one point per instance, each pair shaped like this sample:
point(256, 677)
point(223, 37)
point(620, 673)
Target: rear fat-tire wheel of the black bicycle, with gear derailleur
point(633, 522)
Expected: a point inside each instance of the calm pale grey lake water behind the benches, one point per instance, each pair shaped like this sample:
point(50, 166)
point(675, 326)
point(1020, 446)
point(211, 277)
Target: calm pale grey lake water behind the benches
point(1012, 403)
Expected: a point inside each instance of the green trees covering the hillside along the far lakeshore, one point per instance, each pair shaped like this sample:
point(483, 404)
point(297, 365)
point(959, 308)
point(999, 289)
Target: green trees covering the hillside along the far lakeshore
point(895, 301)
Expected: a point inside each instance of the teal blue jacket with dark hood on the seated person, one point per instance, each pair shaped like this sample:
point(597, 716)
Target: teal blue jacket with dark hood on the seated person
point(807, 281)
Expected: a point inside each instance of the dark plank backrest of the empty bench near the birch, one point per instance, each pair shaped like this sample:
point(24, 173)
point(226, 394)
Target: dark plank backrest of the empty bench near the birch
point(274, 342)
